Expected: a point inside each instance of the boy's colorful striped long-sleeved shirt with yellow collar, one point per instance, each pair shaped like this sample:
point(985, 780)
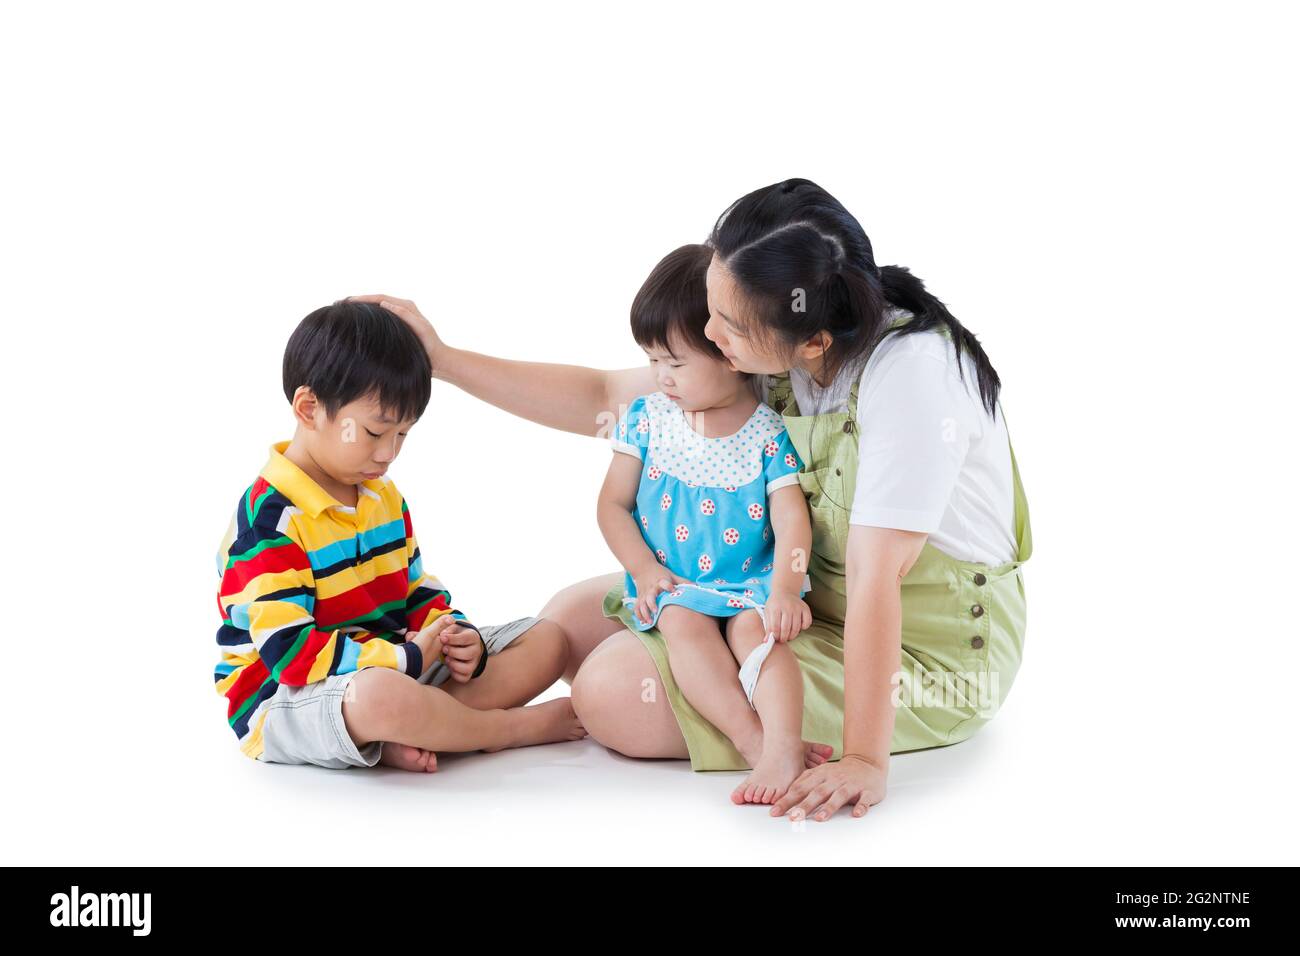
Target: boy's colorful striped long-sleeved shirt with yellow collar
point(311, 587)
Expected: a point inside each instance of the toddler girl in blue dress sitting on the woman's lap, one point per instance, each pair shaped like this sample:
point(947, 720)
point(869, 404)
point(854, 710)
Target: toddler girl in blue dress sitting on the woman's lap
point(704, 509)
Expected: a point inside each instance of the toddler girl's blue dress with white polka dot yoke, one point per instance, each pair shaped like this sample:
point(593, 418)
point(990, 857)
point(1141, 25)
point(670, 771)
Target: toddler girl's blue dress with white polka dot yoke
point(703, 504)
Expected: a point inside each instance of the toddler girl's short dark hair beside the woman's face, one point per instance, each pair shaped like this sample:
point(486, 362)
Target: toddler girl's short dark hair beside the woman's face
point(674, 300)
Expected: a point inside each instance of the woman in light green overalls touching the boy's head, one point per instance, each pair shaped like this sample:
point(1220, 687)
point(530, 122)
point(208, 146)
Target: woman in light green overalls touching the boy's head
point(920, 522)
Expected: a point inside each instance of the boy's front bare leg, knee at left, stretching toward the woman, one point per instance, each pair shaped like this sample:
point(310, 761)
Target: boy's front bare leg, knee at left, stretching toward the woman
point(383, 704)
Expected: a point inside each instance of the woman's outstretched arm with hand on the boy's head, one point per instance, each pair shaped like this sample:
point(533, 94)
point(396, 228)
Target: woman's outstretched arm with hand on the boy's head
point(571, 399)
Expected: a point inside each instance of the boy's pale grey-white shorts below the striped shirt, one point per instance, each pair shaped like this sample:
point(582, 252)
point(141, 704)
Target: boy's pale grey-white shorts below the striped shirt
point(305, 725)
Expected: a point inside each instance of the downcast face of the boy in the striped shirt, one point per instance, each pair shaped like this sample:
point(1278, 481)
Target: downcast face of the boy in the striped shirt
point(359, 443)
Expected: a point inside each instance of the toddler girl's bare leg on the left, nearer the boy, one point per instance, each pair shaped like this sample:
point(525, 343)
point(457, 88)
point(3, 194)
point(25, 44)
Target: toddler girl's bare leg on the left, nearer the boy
point(705, 671)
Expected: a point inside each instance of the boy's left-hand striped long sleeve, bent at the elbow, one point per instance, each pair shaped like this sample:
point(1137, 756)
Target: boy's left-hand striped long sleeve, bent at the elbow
point(267, 598)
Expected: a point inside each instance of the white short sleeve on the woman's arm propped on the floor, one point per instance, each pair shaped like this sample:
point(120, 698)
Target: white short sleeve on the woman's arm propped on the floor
point(917, 422)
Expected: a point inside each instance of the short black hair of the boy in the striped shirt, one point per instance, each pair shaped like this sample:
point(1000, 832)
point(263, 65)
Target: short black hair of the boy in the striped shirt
point(356, 351)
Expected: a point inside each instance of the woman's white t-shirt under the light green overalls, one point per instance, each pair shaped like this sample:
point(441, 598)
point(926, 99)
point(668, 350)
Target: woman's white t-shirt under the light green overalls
point(930, 457)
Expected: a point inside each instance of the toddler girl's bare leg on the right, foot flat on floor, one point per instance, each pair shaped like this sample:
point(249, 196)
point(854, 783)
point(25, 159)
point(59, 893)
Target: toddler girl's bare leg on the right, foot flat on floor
point(779, 700)
